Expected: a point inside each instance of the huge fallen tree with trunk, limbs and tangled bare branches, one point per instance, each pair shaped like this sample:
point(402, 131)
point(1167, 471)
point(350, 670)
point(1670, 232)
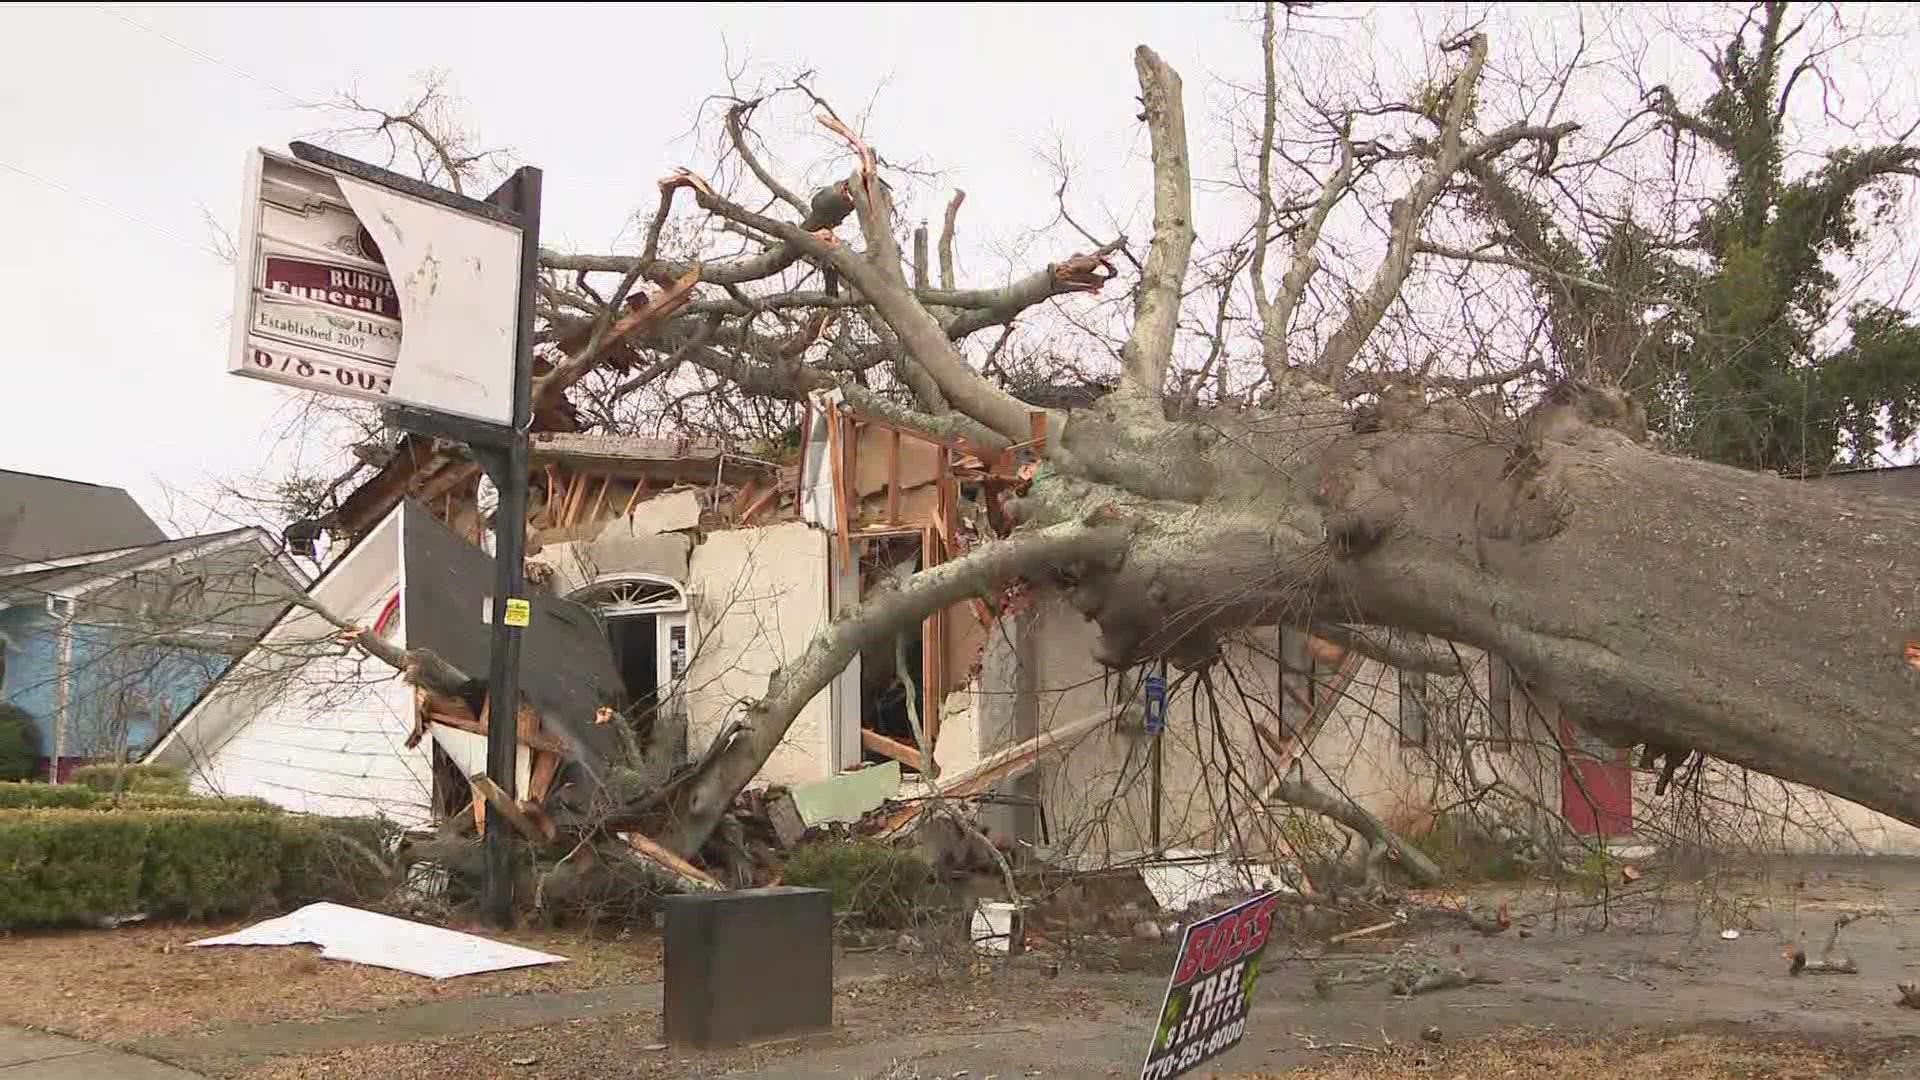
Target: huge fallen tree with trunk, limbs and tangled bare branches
point(1656, 599)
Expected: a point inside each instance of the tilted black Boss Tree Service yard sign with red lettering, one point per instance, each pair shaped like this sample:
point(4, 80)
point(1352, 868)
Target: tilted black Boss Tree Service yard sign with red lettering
point(1205, 1010)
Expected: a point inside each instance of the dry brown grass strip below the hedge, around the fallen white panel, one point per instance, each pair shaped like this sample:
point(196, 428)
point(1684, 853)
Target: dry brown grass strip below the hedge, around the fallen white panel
point(143, 981)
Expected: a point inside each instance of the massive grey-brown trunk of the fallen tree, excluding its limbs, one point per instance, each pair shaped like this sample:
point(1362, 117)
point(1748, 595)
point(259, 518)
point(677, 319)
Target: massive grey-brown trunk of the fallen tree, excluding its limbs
point(1656, 599)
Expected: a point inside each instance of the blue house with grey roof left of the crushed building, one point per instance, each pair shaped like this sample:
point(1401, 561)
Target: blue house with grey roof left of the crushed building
point(110, 629)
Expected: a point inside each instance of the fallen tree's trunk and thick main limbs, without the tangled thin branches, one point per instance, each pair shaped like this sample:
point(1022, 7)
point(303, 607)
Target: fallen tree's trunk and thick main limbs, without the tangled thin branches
point(1769, 616)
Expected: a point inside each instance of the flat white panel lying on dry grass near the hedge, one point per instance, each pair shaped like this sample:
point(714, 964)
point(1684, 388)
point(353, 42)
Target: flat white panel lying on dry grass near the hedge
point(381, 941)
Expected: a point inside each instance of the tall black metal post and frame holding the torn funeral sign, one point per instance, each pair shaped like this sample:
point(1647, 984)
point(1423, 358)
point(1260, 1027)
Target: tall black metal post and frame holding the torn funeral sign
point(502, 453)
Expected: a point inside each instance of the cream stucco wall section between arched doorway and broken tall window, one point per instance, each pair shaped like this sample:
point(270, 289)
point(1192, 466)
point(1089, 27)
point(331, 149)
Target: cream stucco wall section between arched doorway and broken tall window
point(757, 601)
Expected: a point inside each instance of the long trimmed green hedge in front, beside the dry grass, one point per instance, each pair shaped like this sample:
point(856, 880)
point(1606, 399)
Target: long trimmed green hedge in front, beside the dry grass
point(76, 866)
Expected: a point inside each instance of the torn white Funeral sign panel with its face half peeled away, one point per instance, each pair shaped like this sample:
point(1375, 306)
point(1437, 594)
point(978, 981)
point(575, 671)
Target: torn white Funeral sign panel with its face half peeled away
point(354, 289)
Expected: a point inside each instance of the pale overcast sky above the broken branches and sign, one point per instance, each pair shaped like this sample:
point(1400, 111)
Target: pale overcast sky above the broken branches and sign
point(118, 126)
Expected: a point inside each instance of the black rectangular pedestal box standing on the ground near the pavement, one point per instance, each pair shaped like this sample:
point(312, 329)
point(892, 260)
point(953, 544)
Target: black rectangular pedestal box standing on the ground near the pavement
point(748, 966)
